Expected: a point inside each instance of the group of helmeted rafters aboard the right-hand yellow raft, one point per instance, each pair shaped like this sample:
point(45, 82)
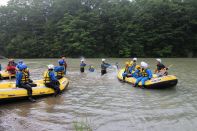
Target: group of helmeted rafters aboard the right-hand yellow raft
point(142, 72)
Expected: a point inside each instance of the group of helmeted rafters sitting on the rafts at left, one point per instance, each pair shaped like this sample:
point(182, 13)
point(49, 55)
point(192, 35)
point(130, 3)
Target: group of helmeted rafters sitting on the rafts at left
point(51, 76)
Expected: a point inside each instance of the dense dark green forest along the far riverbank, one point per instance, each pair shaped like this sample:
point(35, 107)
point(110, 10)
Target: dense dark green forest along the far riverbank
point(98, 28)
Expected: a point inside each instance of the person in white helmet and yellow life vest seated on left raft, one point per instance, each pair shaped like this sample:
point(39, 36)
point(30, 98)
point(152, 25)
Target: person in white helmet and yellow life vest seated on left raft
point(51, 81)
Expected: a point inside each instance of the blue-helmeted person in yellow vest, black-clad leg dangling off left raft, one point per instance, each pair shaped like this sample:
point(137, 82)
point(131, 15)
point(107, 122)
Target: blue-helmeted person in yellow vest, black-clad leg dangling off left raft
point(22, 81)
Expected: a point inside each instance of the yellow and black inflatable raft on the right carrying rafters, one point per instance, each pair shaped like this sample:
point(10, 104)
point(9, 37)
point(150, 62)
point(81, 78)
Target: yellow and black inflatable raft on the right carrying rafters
point(155, 82)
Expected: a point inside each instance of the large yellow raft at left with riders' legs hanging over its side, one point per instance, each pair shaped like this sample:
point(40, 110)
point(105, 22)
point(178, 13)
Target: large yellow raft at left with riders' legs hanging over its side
point(10, 91)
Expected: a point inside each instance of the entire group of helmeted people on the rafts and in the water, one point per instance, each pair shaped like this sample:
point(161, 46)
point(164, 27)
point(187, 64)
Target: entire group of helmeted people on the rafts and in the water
point(54, 73)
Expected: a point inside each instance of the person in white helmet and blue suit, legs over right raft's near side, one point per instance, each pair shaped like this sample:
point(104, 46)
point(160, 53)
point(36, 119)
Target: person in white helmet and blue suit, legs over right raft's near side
point(146, 74)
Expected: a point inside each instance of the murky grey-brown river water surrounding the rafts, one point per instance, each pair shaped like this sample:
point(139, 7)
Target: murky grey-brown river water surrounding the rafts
point(105, 104)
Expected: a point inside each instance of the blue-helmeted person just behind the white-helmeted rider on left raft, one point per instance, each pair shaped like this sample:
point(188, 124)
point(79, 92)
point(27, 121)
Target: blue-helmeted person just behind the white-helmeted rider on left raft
point(60, 70)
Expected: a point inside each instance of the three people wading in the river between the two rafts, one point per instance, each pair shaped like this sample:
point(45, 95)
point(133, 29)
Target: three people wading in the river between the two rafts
point(104, 66)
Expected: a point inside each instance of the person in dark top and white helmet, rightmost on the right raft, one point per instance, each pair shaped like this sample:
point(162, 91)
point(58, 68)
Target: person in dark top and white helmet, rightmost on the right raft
point(161, 68)
